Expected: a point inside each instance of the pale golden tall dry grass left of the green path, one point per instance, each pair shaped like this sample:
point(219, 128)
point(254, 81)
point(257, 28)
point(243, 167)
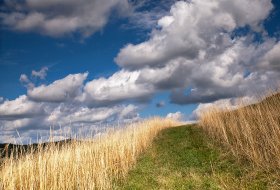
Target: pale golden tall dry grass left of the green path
point(91, 164)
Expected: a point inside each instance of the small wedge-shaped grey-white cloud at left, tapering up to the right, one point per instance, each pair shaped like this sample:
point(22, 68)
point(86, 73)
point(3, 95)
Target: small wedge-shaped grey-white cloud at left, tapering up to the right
point(59, 91)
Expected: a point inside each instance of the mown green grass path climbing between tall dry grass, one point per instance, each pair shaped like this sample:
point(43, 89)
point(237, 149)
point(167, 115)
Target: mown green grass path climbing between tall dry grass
point(183, 158)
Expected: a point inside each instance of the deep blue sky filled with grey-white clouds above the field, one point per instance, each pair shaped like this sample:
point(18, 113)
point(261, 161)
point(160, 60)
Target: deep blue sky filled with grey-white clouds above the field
point(74, 65)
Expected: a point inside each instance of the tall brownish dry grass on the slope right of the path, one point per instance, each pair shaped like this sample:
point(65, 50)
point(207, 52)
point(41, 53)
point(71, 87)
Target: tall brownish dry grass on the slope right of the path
point(251, 132)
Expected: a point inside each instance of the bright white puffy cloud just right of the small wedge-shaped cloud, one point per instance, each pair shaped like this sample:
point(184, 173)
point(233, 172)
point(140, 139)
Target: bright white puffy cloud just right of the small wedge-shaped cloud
point(117, 88)
